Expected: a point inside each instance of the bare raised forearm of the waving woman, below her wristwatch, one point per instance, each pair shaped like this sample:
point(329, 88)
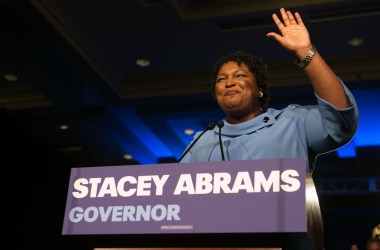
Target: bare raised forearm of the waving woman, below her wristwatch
point(324, 81)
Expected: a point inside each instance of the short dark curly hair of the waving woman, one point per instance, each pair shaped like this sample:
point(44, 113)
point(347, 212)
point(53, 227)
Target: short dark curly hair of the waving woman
point(255, 64)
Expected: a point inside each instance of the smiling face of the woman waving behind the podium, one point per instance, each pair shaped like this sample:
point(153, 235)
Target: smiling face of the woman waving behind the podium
point(236, 91)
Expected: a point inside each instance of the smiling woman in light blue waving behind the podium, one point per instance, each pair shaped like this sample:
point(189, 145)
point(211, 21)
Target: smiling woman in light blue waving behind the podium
point(251, 130)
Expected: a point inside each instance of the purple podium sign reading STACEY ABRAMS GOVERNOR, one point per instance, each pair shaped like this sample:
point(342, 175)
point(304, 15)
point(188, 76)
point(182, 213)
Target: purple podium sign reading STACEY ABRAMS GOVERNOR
point(253, 196)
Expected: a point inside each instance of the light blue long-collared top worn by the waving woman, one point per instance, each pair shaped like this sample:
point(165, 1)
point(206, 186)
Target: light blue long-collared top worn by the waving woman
point(293, 132)
